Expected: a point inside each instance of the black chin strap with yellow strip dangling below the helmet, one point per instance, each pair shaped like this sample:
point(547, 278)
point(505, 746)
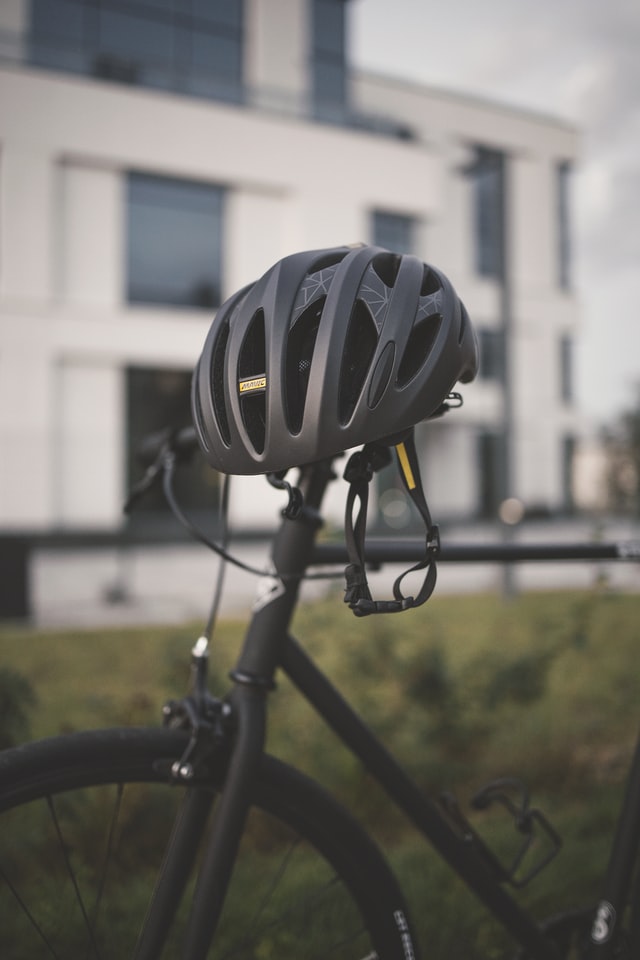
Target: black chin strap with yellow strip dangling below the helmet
point(359, 473)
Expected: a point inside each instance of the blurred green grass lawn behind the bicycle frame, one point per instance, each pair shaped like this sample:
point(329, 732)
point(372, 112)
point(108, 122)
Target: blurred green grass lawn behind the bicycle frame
point(464, 690)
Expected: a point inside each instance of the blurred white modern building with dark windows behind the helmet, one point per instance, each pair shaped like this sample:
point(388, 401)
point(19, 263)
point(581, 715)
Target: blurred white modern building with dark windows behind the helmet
point(152, 161)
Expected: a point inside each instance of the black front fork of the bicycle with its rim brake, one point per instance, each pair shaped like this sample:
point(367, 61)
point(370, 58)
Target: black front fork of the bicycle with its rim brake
point(214, 727)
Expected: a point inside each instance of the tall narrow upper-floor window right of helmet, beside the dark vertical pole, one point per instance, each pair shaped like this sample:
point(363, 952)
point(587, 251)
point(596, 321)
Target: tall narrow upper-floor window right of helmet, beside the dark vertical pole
point(487, 173)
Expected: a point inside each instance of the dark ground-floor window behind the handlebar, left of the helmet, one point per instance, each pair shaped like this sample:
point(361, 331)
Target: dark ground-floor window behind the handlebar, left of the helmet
point(157, 400)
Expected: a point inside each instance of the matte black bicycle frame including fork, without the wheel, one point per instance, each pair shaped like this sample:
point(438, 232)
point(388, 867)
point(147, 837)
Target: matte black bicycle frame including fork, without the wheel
point(268, 646)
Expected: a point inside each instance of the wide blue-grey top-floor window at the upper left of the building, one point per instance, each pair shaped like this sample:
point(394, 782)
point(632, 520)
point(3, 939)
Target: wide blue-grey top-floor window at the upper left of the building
point(193, 48)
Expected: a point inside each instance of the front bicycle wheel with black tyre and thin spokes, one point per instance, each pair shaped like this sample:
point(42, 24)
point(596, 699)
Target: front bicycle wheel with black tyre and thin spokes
point(296, 834)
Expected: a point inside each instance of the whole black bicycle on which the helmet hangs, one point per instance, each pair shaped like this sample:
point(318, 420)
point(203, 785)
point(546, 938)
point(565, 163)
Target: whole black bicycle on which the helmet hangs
point(316, 883)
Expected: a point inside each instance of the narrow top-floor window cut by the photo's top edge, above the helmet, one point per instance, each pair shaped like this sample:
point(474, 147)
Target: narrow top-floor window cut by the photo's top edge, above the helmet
point(328, 60)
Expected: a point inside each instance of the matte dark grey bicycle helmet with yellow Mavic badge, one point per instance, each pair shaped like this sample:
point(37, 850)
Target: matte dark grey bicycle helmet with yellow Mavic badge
point(330, 349)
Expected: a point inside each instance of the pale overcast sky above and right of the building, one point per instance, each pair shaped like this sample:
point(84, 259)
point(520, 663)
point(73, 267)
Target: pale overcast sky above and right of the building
point(577, 59)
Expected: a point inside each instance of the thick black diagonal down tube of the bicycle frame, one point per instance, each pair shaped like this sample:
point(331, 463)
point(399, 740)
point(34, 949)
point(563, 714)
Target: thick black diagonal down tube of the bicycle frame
point(357, 736)
